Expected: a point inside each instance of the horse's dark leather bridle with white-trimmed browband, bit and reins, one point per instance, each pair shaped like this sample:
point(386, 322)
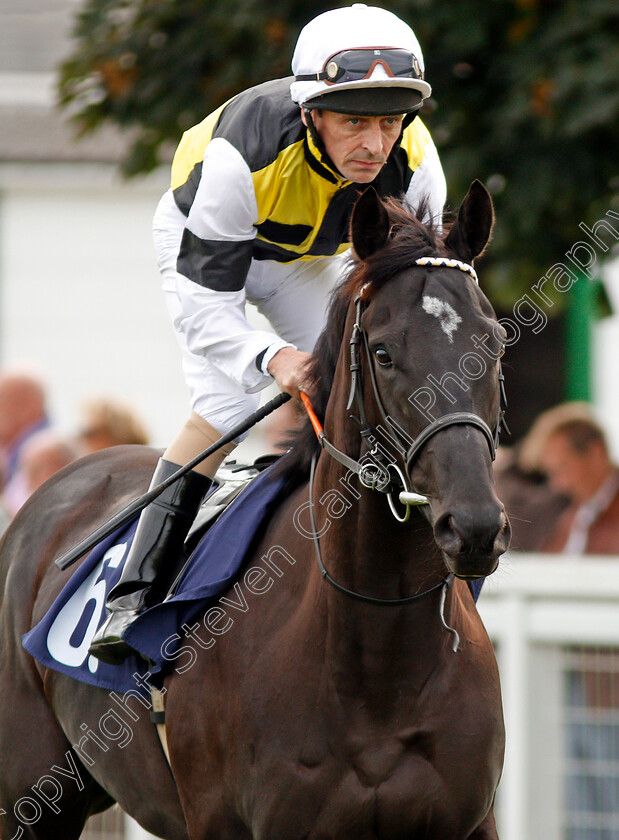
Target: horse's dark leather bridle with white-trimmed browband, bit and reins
point(379, 472)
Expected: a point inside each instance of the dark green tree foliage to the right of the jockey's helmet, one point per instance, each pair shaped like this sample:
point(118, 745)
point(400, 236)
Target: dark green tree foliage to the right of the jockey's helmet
point(527, 100)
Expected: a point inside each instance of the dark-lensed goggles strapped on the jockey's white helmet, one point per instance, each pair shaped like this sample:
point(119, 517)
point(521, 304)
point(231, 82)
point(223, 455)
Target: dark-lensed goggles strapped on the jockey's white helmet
point(354, 65)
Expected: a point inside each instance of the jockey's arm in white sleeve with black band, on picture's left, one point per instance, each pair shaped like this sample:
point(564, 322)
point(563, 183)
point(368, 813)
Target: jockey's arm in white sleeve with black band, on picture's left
point(208, 268)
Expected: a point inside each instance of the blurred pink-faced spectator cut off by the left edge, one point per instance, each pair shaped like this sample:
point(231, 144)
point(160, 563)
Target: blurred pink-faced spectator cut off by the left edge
point(22, 414)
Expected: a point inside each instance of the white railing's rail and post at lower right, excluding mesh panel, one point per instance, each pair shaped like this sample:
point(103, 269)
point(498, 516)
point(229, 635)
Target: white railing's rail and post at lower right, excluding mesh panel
point(536, 608)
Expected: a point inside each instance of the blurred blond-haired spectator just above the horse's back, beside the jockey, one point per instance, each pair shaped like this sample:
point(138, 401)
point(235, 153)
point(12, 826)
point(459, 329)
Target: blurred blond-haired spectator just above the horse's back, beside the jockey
point(107, 422)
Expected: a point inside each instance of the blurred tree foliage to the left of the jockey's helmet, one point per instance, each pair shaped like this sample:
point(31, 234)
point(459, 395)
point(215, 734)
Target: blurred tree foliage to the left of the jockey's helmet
point(160, 66)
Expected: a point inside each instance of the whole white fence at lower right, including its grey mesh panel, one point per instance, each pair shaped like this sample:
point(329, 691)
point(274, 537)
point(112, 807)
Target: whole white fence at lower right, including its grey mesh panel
point(555, 624)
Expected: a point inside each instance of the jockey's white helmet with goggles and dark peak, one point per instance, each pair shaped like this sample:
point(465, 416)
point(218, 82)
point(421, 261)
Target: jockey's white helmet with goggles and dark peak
point(358, 60)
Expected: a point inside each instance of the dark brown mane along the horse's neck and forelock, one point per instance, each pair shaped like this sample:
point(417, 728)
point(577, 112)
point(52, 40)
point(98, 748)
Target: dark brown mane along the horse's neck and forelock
point(409, 240)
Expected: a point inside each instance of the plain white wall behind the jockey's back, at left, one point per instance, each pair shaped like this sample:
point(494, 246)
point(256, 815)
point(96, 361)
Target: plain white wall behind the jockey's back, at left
point(80, 296)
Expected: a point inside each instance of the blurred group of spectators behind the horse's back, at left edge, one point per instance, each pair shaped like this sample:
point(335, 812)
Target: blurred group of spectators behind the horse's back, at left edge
point(33, 448)
